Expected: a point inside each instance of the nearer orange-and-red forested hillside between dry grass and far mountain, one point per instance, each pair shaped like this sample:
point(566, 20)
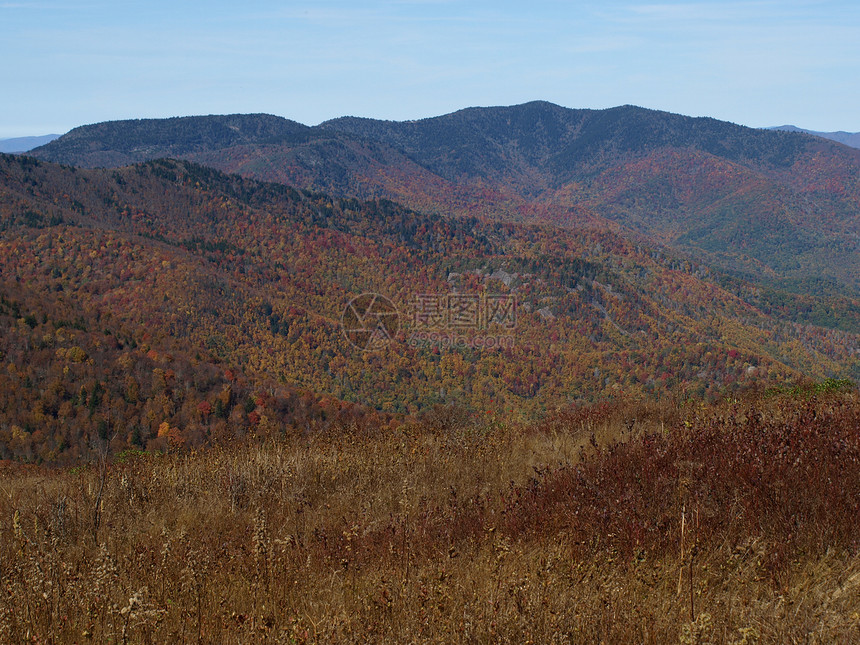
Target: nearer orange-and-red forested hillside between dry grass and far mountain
point(170, 302)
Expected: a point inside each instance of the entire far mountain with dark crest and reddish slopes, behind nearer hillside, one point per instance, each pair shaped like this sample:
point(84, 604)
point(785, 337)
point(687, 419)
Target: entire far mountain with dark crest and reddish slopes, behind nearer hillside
point(772, 205)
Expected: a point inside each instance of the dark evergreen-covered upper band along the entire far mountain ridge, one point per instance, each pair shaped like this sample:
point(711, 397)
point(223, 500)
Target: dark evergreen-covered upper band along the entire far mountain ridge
point(541, 136)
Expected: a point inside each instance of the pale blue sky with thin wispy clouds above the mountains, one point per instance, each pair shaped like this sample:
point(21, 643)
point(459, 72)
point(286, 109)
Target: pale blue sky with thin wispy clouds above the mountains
point(65, 63)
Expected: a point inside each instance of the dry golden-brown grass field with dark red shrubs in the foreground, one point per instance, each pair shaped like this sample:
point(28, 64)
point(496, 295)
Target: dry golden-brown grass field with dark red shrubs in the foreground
point(737, 522)
